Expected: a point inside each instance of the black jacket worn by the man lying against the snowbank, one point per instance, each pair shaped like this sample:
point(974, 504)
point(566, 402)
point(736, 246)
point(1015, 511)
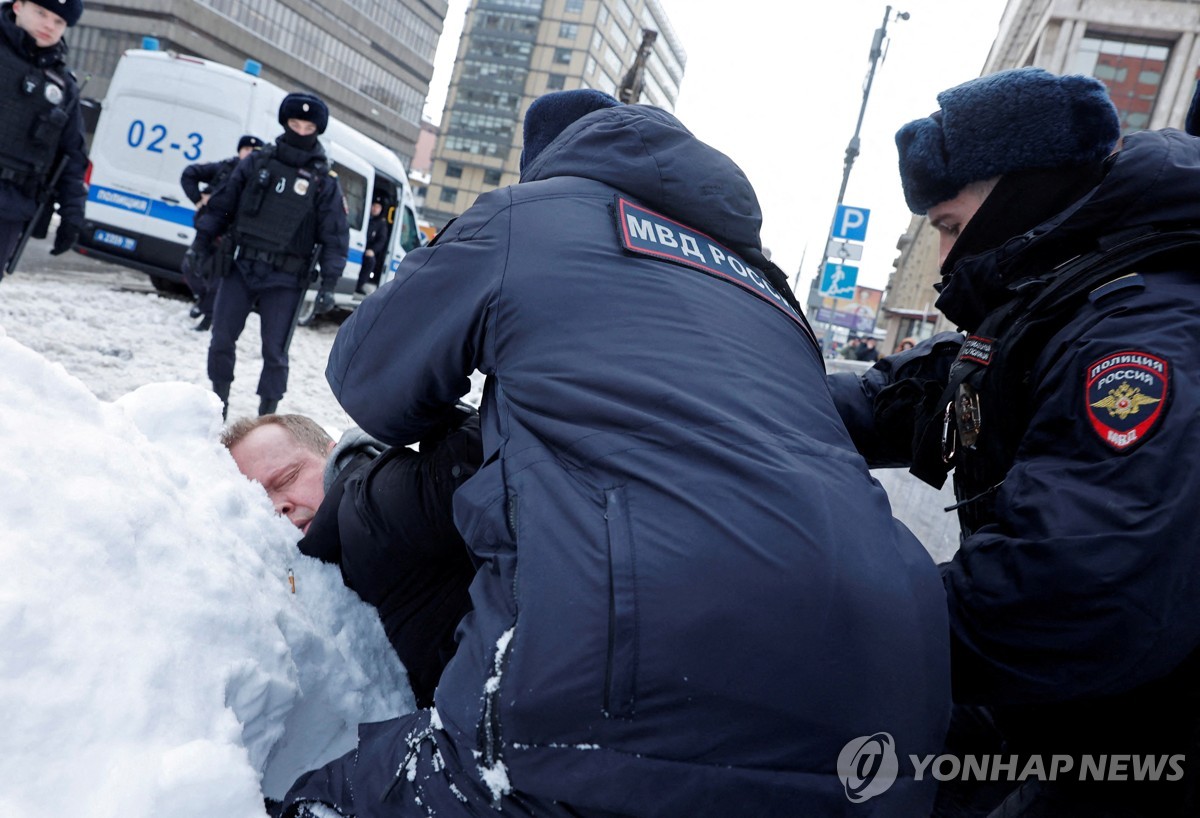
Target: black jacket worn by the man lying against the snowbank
point(388, 522)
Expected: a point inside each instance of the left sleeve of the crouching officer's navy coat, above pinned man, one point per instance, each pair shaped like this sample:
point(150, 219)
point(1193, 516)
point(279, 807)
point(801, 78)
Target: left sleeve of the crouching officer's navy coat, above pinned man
point(407, 353)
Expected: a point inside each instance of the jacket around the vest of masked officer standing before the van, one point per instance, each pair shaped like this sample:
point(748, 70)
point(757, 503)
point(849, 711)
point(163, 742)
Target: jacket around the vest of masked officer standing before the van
point(333, 233)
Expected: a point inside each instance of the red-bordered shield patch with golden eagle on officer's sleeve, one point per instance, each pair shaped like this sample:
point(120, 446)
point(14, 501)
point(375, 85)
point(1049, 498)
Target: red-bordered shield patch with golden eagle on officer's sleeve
point(1125, 395)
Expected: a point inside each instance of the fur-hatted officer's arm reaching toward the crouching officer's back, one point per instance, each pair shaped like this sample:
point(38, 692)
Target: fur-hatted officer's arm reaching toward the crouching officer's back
point(887, 407)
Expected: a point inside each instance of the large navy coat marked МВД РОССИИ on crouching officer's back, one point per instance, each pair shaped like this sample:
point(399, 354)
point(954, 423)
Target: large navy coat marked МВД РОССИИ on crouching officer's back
point(693, 594)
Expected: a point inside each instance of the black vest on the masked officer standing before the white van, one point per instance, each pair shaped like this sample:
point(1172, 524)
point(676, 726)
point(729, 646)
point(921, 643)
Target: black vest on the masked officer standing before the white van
point(278, 210)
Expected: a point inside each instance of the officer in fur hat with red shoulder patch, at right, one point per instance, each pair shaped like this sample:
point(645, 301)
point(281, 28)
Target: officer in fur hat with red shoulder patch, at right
point(1070, 258)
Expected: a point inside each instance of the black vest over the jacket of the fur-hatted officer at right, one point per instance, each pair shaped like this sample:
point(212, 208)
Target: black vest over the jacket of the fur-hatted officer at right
point(988, 402)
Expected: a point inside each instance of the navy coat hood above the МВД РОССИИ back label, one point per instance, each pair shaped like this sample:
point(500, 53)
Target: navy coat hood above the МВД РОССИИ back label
point(649, 154)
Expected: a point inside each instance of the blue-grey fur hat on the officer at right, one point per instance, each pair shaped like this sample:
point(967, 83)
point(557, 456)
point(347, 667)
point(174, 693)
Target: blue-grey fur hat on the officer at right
point(1012, 121)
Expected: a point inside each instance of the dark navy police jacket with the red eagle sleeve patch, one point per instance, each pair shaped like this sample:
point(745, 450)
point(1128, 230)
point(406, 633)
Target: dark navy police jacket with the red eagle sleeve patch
point(1077, 606)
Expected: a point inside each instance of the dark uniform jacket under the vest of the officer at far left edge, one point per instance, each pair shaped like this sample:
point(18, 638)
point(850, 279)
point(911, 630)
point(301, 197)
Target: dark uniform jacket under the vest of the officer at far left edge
point(70, 193)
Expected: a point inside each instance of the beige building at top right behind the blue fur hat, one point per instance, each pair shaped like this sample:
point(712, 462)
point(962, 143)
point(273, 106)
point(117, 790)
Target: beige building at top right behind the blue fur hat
point(1147, 52)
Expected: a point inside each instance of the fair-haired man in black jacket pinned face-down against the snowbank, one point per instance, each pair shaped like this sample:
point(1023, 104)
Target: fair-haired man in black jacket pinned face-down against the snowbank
point(382, 515)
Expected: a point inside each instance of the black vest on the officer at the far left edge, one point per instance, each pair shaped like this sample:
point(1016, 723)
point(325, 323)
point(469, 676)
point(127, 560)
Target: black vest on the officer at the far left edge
point(35, 105)
